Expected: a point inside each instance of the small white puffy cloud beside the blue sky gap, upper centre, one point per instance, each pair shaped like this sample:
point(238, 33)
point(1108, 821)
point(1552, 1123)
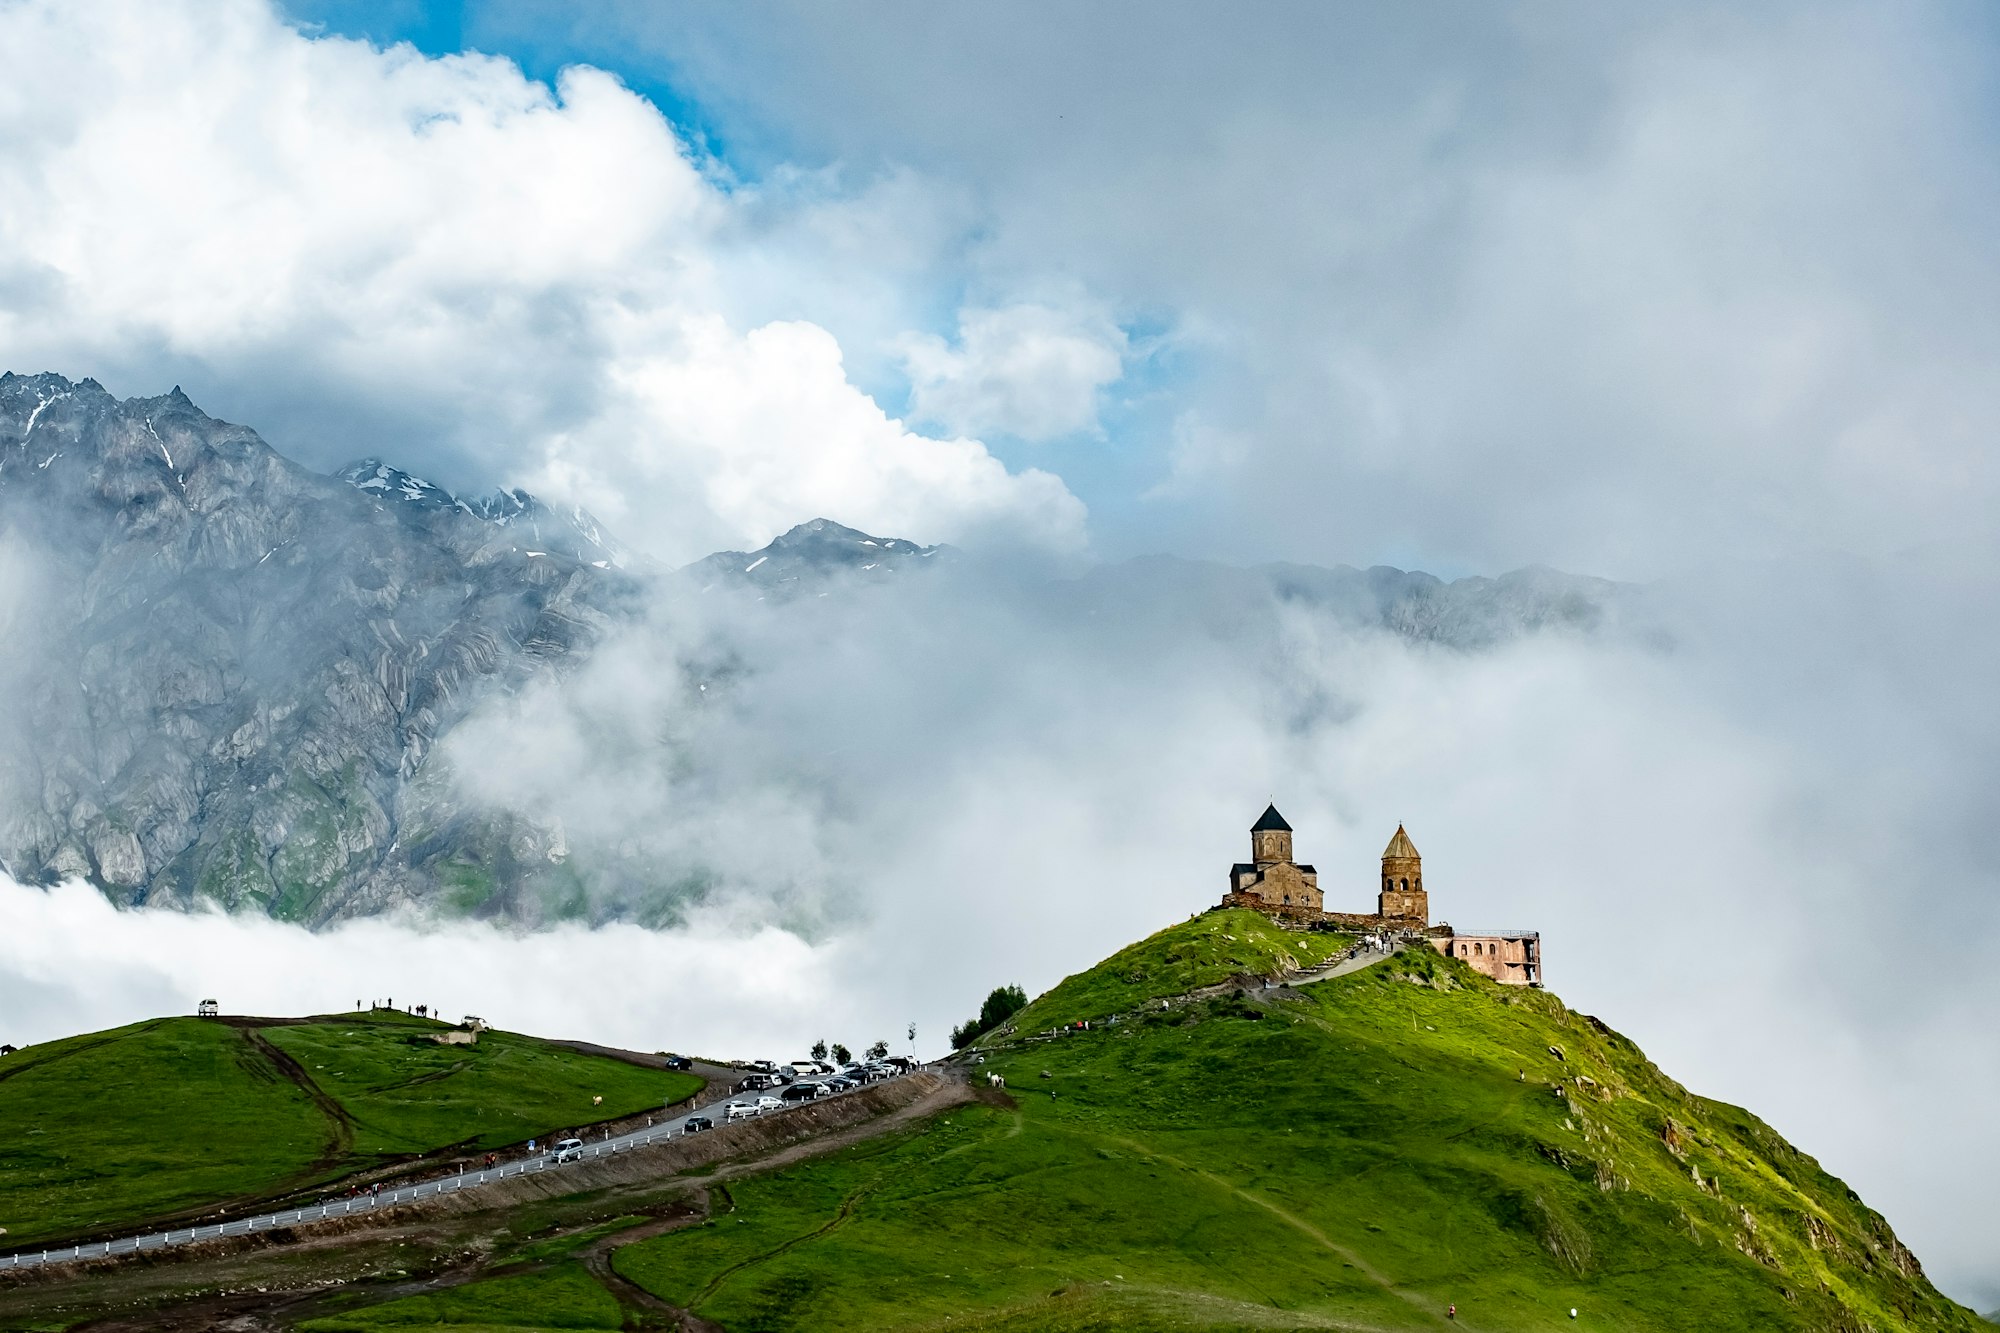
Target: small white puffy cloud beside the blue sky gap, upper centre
point(1029, 371)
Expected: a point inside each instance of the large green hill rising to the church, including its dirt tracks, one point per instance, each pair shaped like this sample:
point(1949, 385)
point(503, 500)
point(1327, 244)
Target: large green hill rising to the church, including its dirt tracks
point(1195, 1152)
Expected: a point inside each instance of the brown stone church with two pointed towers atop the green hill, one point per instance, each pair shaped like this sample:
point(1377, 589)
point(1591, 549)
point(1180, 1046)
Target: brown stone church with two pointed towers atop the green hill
point(1281, 888)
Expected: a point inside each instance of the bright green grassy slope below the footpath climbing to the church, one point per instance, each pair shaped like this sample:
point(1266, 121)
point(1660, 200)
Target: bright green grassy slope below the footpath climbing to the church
point(1361, 1158)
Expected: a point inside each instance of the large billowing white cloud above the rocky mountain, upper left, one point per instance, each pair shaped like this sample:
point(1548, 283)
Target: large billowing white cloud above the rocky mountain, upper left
point(503, 279)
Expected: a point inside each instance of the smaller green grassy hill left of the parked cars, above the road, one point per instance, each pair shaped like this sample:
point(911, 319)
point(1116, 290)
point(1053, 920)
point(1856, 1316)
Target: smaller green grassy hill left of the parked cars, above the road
point(149, 1122)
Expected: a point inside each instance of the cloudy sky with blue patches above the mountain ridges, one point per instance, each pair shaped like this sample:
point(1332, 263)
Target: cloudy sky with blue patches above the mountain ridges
point(1615, 291)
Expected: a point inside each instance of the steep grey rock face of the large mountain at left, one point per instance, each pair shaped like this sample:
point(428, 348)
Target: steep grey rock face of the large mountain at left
point(231, 670)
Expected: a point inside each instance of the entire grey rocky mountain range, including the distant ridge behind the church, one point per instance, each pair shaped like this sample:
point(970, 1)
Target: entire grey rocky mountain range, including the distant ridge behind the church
point(229, 680)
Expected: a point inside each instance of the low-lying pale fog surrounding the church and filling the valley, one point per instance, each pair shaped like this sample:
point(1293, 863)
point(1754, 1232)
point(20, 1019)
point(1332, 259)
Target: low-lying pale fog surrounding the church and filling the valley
point(1751, 818)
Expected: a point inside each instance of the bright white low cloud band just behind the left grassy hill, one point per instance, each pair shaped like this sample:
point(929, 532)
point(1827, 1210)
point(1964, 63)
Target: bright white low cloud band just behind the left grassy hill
point(73, 964)
